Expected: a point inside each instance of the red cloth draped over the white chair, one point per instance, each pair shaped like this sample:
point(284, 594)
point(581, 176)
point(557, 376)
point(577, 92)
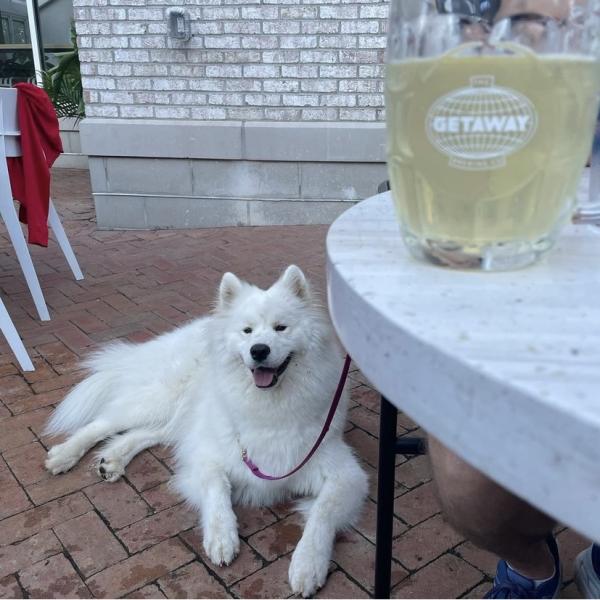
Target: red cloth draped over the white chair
point(30, 173)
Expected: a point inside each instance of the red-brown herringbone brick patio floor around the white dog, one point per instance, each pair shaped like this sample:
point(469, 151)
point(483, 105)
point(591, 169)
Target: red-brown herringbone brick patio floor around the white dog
point(74, 536)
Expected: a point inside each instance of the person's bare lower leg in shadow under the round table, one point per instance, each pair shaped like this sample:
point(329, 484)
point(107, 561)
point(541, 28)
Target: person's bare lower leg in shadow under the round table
point(490, 516)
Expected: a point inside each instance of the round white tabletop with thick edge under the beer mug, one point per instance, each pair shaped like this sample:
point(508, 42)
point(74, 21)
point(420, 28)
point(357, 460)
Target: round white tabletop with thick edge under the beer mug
point(503, 368)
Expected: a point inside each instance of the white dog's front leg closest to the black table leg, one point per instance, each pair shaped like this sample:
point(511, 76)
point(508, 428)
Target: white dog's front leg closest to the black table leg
point(335, 508)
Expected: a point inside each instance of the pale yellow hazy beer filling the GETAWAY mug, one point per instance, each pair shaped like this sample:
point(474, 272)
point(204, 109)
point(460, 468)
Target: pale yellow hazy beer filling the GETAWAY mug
point(487, 150)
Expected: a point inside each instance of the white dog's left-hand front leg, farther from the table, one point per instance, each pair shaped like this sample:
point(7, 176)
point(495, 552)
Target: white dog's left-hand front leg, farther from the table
point(210, 491)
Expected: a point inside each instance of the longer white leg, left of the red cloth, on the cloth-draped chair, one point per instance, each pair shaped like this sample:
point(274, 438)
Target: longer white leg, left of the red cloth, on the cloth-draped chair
point(11, 220)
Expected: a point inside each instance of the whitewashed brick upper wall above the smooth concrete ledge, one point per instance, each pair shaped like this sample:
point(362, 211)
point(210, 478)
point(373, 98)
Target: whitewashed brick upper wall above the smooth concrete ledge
point(283, 60)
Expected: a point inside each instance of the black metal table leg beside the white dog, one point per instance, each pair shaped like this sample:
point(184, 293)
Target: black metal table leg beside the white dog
point(385, 498)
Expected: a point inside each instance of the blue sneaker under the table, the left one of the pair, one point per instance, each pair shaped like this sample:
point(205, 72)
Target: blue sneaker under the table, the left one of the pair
point(510, 584)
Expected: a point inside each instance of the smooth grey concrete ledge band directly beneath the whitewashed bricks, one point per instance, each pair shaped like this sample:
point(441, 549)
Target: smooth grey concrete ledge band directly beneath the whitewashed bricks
point(234, 140)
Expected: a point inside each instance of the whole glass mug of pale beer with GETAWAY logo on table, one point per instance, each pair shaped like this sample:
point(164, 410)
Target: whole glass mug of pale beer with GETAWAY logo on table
point(491, 108)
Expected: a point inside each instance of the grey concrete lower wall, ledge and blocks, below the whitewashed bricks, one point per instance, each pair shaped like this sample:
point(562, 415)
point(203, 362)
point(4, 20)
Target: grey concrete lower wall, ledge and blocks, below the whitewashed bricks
point(176, 174)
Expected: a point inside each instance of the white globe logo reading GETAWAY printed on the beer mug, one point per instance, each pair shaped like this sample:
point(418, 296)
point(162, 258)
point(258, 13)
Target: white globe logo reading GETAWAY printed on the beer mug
point(478, 126)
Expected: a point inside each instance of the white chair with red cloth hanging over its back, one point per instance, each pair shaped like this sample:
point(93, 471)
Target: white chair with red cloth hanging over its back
point(10, 147)
